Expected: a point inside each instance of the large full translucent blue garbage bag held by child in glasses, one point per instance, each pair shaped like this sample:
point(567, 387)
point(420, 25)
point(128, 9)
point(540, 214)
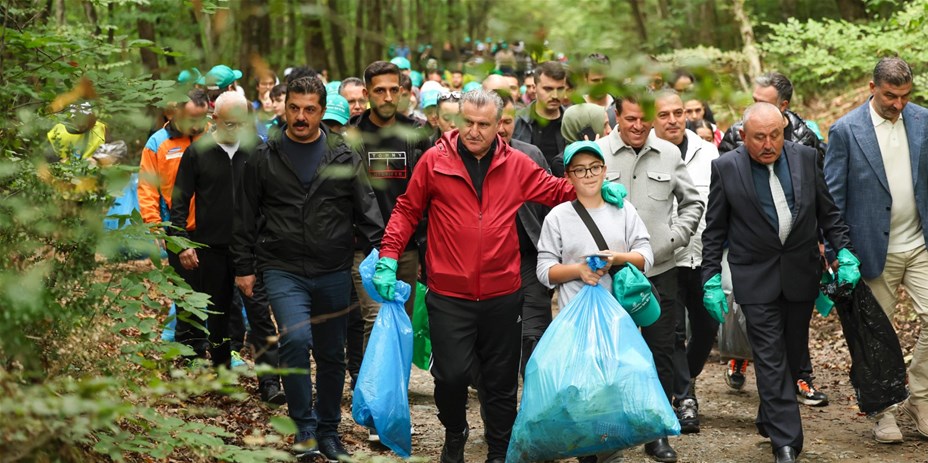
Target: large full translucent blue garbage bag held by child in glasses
point(590, 386)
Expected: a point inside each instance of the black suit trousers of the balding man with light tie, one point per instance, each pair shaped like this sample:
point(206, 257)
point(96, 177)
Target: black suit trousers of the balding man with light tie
point(779, 333)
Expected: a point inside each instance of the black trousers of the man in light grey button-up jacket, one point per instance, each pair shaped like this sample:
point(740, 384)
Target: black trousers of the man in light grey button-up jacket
point(660, 335)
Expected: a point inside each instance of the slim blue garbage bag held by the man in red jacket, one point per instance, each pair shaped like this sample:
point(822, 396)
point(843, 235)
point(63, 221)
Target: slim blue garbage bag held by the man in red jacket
point(381, 396)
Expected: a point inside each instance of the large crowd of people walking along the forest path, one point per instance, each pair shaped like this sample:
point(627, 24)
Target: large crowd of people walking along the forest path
point(474, 194)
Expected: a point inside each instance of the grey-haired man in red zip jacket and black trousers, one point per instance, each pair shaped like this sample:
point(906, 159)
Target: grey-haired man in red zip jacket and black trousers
point(472, 183)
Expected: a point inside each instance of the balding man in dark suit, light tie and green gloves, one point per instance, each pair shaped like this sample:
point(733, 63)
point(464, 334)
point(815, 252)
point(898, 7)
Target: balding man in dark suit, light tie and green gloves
point(768, 200)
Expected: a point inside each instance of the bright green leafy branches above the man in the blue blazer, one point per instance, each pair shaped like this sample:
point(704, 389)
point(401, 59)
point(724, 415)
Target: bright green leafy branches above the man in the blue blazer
point(834, 54)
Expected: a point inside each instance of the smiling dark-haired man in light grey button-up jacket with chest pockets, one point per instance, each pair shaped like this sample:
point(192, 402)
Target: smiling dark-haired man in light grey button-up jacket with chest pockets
point(654, 173)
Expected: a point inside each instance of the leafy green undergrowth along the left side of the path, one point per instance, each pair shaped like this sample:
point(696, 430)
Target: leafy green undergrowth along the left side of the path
point(83, 373)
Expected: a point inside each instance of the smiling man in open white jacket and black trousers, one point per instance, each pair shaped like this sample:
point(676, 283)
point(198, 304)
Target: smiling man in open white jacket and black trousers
point(689, 355)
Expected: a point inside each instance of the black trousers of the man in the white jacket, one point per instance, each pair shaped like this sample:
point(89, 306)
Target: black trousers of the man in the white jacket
point(690, 356)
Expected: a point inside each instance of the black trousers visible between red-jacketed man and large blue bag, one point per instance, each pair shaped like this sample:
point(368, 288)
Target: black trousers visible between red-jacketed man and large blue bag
point(536, 309)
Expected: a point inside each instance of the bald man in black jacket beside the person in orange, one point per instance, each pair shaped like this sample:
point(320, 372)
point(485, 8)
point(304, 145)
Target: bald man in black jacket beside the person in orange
point(209, 171)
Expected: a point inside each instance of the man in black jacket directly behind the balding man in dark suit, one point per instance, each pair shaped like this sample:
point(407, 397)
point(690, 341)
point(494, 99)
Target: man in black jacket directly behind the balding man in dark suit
point(776, 89)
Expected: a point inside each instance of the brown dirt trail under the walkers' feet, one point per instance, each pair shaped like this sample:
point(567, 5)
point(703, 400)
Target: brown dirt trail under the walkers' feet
point(835, 433)
